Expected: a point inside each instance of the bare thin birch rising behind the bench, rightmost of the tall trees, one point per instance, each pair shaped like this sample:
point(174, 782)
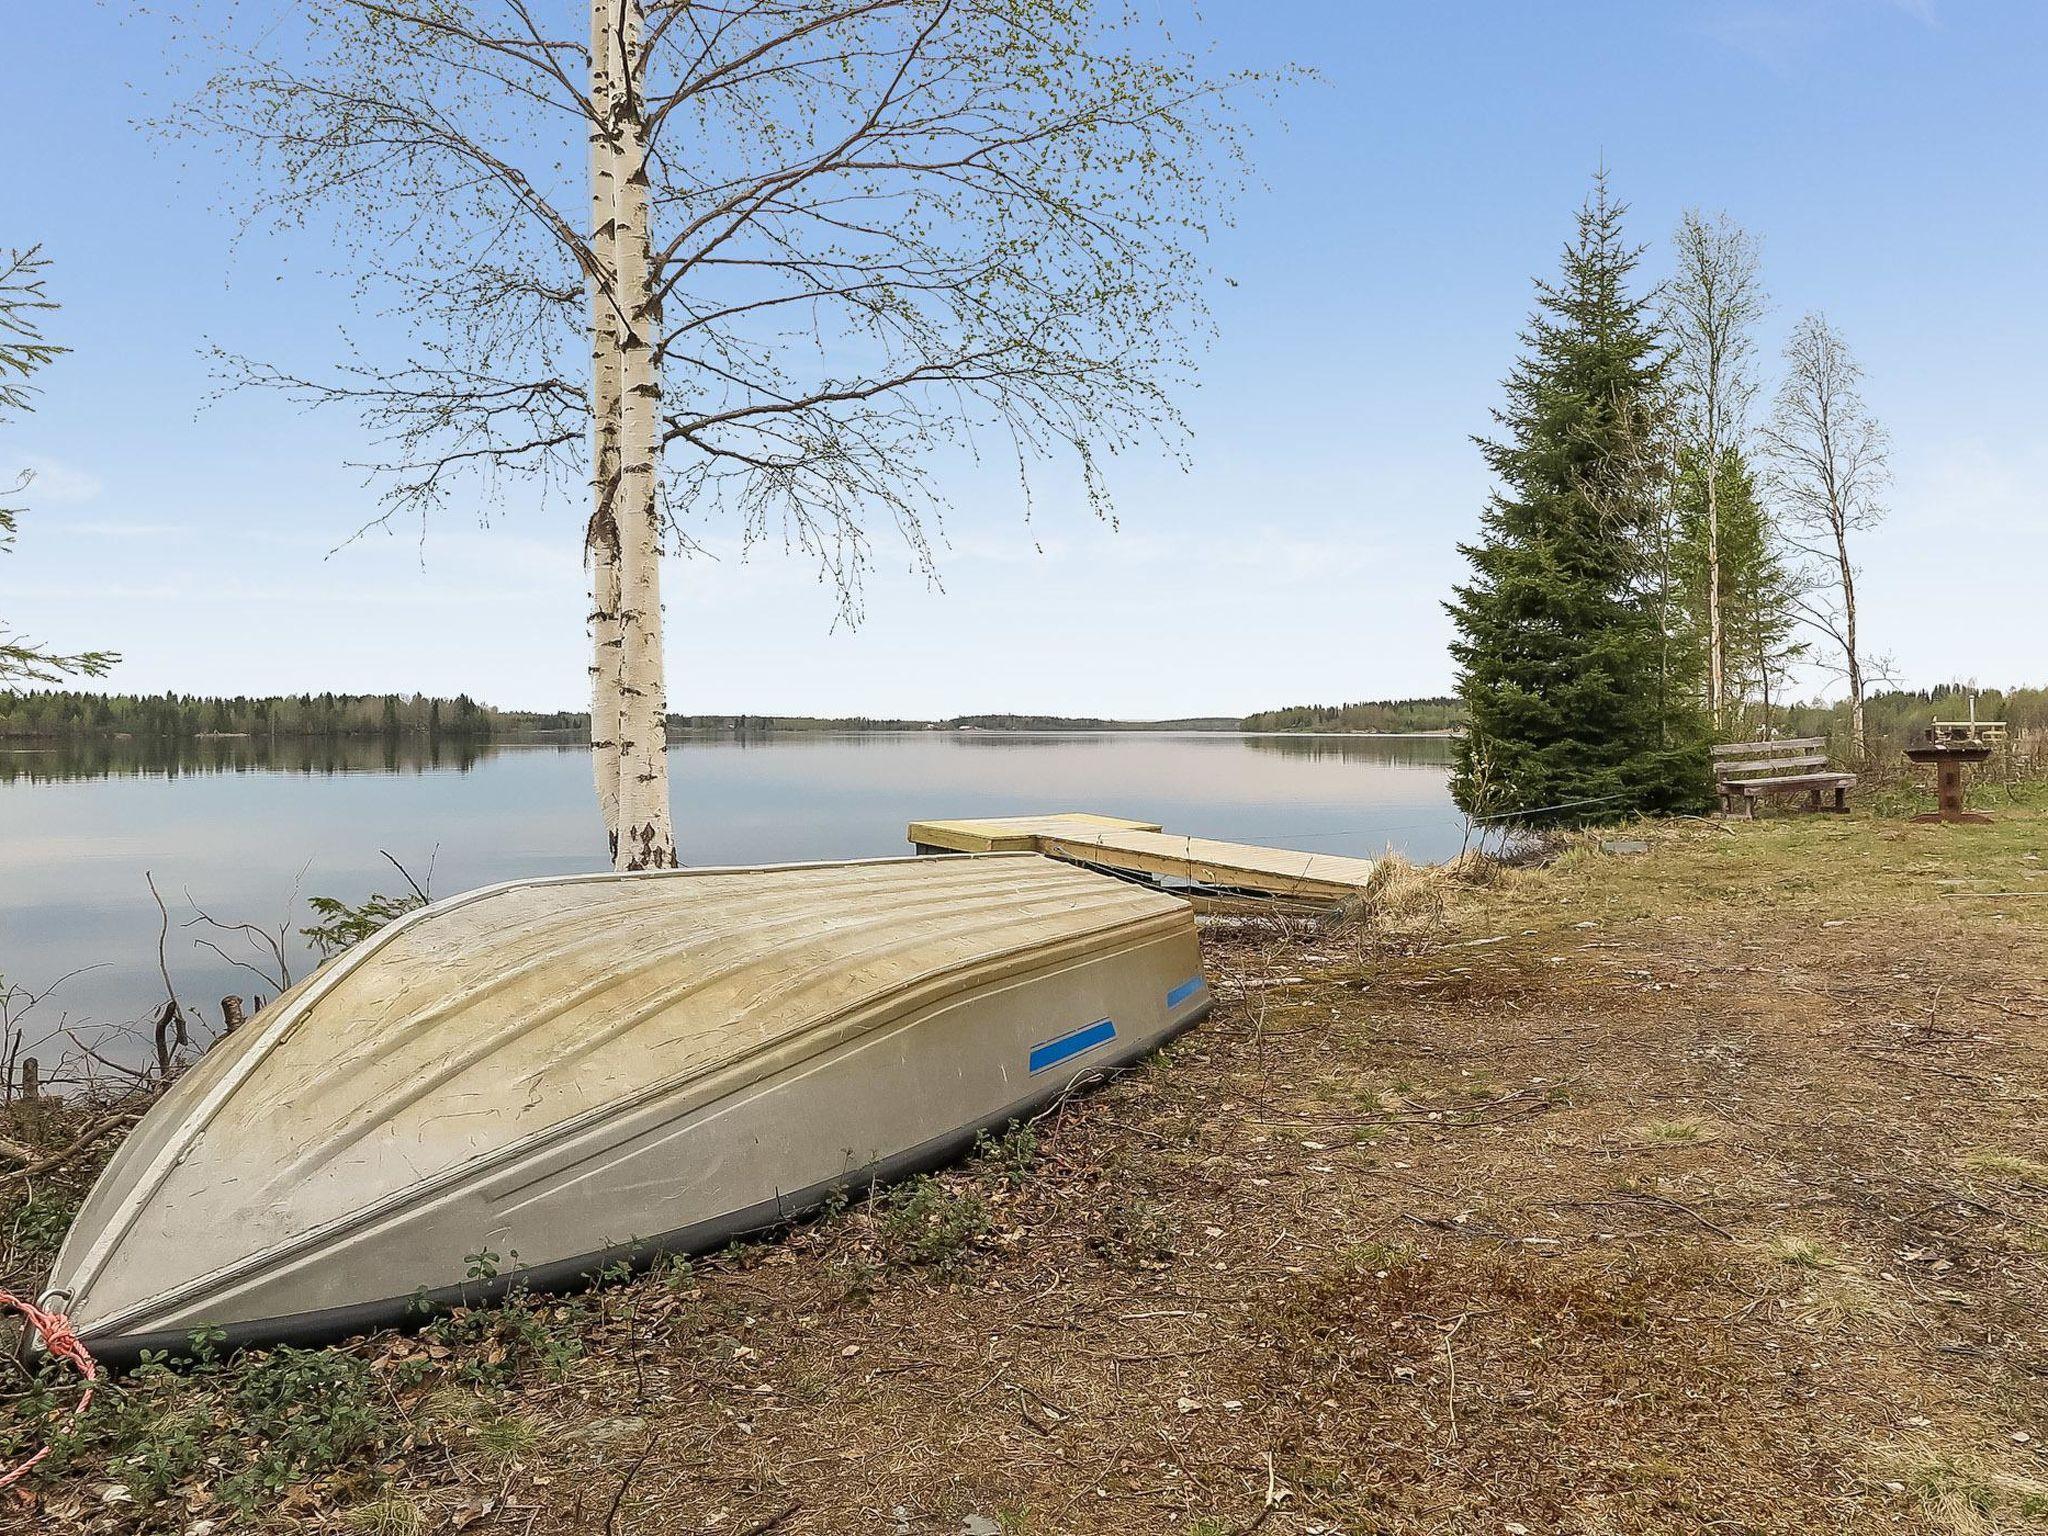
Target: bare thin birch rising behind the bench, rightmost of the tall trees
point(1830, 462)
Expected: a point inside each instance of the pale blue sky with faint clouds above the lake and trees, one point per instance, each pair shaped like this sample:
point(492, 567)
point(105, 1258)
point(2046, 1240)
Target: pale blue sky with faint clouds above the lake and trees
point(1887, 153)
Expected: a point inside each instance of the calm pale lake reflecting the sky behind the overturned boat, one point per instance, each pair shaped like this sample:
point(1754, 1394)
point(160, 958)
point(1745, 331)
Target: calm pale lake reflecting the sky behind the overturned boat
point(247, 833)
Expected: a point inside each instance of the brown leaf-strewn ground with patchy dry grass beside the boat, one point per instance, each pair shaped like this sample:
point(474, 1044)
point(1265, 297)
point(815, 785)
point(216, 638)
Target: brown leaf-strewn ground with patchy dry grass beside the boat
point(1674, 1193)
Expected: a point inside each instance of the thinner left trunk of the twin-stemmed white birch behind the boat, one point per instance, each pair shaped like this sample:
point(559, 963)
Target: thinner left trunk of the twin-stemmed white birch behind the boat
point(601, 544)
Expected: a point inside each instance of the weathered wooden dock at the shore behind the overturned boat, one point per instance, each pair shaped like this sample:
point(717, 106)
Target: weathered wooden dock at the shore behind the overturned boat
point(1215, 876)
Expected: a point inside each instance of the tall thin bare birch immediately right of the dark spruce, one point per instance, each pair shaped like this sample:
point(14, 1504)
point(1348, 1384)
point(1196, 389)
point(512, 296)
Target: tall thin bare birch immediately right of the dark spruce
point(1713, 304)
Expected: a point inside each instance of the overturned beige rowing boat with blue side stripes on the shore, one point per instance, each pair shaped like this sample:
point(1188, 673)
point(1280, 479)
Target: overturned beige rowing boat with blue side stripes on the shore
point(540, 1080)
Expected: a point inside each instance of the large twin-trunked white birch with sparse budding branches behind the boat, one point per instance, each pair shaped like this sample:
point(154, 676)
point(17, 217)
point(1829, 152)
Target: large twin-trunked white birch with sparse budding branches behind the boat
point(833, 249)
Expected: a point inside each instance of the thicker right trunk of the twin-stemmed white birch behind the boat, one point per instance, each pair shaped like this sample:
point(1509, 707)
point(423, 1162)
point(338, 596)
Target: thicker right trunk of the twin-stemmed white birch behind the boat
point(646, 839)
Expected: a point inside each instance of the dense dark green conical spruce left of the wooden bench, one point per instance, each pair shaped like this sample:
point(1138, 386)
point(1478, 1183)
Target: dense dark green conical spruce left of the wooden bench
point(1566, 669)
